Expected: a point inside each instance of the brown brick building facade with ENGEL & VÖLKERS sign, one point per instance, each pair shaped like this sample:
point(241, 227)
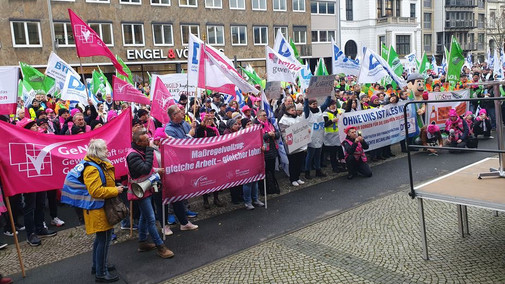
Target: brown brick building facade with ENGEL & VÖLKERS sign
point(151, 35)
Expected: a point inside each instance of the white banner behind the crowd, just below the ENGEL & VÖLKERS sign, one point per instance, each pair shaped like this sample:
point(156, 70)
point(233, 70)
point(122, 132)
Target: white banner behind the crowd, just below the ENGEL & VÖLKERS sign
point(177, 84)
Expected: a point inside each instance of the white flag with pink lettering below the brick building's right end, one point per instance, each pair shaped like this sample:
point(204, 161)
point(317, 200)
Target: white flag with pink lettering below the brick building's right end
point(280, 69)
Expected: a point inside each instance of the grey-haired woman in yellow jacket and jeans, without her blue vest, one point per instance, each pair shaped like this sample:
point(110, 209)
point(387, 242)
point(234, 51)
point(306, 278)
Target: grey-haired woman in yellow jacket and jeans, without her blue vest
point(95, 219)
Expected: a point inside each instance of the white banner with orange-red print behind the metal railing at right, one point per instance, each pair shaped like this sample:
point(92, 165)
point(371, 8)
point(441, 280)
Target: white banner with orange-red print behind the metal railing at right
point(439, 112)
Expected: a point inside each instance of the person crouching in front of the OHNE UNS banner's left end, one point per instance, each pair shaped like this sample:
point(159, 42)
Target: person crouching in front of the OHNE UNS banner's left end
point(355, 157)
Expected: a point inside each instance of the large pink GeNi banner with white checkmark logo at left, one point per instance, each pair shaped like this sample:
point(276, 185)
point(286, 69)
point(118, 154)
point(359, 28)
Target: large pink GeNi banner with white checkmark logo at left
point(32, 161)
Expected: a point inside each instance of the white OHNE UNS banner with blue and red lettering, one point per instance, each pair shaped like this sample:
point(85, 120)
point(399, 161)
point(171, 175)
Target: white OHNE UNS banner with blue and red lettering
point(380, 126)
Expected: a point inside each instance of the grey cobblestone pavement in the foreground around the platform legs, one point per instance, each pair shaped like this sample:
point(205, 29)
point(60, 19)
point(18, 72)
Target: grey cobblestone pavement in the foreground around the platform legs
point(378, 242)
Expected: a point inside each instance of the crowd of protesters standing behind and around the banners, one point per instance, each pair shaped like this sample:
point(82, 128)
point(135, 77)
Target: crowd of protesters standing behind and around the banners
point(216, 114)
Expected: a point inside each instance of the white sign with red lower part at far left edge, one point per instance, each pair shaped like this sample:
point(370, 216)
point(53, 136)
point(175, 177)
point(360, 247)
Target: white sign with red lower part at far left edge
point(8, 89)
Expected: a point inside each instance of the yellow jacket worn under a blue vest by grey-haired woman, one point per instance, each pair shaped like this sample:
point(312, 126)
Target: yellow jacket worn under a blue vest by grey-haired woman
point(95, 219)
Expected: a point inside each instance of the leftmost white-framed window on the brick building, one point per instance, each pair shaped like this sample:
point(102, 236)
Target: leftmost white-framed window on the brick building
point(26, 34)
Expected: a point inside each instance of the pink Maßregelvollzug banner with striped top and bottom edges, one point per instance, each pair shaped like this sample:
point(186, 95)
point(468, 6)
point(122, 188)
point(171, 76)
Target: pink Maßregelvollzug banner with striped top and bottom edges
point(201, 165)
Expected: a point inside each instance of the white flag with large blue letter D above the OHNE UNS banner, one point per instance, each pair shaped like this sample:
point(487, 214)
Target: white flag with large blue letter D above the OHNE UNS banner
point(374, 68)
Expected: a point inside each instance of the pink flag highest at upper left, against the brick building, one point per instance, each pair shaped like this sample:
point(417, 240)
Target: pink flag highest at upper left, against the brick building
point(88, 43)
